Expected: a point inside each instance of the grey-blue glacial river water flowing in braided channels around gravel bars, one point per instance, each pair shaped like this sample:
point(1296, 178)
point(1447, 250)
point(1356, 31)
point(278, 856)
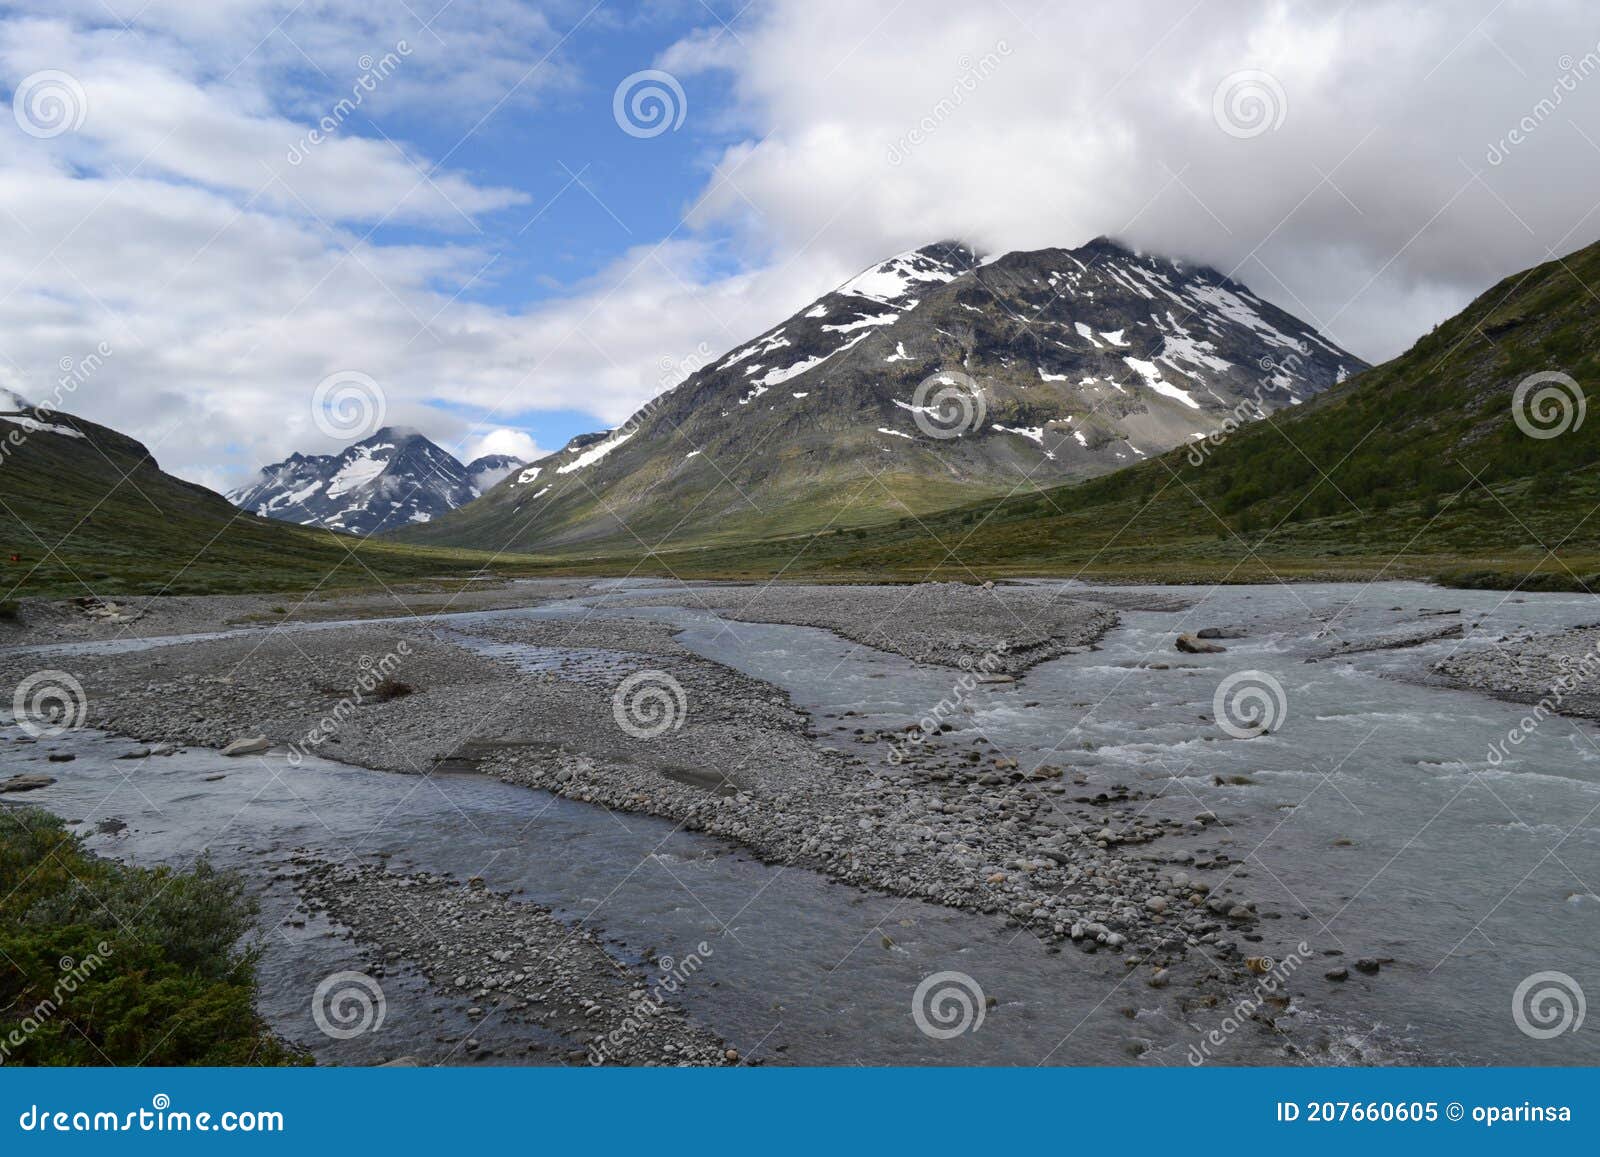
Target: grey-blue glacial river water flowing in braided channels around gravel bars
point(1370, 822)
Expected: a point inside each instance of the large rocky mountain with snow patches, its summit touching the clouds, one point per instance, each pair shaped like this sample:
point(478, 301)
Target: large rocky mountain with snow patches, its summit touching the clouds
point(929, 380)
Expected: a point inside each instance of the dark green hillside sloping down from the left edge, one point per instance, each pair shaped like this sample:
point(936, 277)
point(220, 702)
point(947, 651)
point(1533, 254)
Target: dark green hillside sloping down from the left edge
point(87, 511)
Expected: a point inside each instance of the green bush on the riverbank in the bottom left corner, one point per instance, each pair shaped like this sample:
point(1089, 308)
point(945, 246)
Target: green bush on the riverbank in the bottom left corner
point(111, 964)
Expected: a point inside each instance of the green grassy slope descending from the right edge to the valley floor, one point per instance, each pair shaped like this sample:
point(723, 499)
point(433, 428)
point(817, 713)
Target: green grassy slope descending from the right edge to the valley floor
point(1470, 460)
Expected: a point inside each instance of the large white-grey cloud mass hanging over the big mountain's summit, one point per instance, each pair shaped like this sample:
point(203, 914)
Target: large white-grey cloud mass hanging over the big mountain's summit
point(1361, 212)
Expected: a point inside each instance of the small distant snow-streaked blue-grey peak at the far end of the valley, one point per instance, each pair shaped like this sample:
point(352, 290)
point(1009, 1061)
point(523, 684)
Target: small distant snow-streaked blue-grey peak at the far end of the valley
point(388, 481)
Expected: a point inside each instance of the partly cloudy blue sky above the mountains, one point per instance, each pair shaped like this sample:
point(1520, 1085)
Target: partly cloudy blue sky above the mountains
point(242, 228)
